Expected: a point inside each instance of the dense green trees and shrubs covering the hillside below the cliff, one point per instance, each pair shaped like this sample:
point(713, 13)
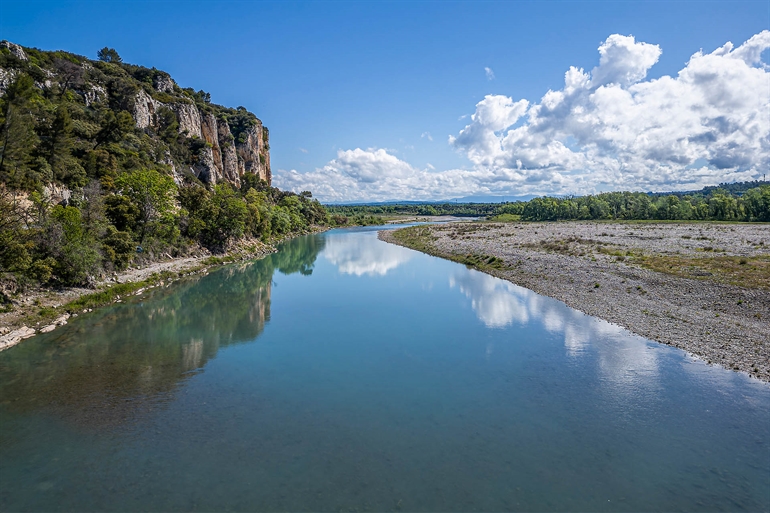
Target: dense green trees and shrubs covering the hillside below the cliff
point(83, 192)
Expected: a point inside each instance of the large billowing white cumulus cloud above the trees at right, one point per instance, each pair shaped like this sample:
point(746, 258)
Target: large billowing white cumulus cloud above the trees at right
point(612, 129)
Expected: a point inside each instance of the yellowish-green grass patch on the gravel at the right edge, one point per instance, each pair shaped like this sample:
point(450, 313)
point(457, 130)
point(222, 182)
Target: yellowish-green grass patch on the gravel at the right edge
point(748, 272)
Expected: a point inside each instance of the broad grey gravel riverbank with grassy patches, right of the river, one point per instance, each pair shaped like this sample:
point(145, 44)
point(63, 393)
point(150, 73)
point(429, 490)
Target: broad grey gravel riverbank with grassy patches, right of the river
point(701, 287)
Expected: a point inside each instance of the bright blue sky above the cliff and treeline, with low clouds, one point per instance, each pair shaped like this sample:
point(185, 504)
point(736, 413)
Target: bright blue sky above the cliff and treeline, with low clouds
point(360, 96)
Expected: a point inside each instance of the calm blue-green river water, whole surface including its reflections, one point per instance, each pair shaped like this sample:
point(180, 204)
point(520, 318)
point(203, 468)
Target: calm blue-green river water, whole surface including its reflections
point(343, 373)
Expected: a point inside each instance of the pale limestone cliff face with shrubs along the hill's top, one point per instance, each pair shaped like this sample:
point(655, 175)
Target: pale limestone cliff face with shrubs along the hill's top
point(214, 143)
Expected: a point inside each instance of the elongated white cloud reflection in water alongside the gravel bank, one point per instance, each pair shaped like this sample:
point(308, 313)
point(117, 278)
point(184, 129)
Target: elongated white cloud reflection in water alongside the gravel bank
point(622, 359)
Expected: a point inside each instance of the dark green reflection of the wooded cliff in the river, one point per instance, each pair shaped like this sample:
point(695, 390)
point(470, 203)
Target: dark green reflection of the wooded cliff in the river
point(137, 353)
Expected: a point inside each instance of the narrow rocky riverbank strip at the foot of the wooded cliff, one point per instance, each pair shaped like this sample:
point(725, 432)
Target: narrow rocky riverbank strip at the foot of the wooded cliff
point(41, 310)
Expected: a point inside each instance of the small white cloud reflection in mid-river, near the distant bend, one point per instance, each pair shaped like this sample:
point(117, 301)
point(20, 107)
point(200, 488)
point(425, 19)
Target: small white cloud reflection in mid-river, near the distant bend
point(360, 255)
